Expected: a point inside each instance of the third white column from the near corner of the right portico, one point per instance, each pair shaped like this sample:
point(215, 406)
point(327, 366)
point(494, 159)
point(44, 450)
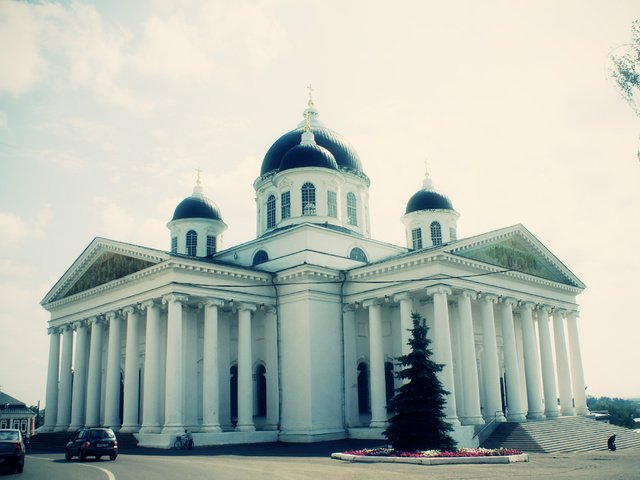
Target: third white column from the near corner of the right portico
point(490, 360)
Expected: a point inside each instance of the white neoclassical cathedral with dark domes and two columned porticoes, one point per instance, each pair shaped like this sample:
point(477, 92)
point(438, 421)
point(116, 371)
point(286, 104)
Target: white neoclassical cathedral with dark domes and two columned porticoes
point(293, 336)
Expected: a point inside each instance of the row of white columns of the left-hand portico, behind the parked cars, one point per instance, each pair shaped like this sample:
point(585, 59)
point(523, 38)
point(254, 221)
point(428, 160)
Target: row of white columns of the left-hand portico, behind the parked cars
point(75, 395)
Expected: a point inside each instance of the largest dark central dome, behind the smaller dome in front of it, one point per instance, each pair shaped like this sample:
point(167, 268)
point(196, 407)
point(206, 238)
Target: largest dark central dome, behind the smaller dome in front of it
point(345, 155)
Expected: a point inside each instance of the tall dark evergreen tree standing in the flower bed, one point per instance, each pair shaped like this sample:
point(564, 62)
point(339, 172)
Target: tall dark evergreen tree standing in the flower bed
point(419, 422)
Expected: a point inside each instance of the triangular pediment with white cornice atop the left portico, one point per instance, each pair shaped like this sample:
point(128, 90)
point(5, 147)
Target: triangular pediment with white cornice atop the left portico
point(102, 262)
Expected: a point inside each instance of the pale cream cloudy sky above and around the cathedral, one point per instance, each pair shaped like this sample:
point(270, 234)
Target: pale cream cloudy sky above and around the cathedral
point(107, 109)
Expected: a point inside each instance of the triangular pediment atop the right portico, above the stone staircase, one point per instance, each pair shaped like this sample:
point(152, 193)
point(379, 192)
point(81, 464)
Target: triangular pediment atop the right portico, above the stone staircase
point(515, 248)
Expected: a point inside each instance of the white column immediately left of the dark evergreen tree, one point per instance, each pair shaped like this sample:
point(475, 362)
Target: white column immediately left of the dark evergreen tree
point(376, 365)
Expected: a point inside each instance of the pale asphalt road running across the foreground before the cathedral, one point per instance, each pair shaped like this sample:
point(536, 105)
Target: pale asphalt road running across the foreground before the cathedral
point(313, 462)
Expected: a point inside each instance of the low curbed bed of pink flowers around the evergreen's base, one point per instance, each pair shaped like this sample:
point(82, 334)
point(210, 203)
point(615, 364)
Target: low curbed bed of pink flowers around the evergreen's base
point(434, 457)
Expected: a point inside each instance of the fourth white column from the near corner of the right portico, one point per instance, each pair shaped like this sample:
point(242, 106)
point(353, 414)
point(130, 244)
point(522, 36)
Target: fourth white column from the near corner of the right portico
point(514, 399)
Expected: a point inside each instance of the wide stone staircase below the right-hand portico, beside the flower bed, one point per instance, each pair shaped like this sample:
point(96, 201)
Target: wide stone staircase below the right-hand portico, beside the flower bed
point(564, 434)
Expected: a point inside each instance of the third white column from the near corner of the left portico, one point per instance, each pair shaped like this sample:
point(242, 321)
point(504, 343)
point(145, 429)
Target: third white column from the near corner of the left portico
point(130, 421)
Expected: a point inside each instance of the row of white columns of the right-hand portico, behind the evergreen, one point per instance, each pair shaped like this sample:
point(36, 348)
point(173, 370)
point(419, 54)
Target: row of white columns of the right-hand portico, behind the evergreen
point(532, 381)
